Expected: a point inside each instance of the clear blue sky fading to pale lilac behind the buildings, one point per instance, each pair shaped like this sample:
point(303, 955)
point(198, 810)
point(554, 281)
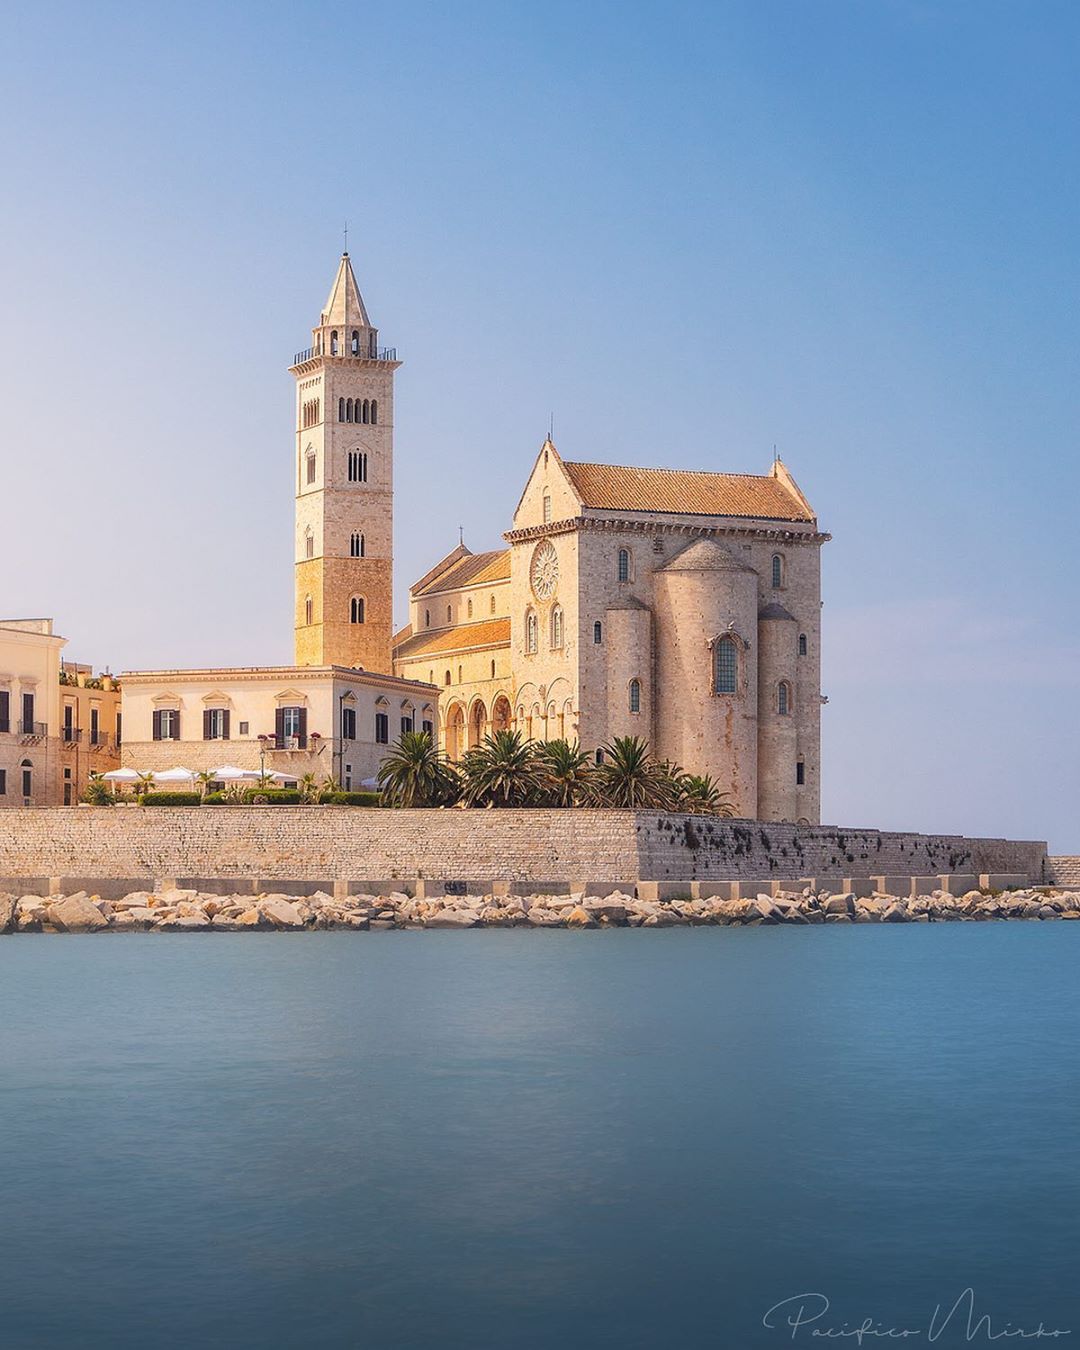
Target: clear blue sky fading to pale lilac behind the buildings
point(693, 232)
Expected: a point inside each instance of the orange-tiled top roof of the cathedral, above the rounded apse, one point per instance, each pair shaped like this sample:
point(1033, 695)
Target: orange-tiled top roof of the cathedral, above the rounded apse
point(681, 492)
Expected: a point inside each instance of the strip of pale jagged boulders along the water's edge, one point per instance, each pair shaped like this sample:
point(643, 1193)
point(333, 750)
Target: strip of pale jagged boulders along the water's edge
point(183, 912)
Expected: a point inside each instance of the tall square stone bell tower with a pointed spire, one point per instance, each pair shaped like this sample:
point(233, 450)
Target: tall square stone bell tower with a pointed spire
point(345, 487)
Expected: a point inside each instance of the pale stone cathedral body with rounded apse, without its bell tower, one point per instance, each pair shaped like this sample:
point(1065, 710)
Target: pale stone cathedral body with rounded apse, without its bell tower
point(620, 593)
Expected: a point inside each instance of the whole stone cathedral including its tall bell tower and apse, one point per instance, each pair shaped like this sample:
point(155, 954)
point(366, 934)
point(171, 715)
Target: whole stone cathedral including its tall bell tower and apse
point(678, 605)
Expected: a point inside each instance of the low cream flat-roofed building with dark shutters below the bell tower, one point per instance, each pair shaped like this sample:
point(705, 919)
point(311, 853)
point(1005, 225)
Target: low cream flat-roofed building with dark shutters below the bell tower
point(294, 720)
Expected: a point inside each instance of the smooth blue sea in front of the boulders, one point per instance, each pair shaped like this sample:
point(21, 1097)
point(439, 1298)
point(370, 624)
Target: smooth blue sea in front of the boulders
point(538, 1139)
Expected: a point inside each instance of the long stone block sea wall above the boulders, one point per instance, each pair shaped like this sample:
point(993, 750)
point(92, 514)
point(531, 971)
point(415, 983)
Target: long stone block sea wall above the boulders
point(352, 846)
